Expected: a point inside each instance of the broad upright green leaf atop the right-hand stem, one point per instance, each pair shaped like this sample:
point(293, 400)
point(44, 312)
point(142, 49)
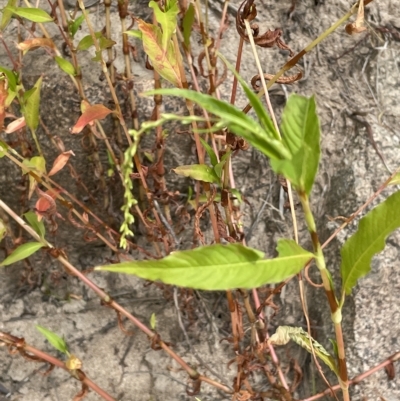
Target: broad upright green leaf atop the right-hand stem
point(301, 135)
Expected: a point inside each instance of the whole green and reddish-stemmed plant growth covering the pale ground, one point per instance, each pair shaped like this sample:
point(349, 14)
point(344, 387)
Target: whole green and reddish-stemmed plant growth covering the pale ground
point(292, 147)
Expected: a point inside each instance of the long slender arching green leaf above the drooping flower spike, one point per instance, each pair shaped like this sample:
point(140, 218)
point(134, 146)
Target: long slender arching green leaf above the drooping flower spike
point(235, 120)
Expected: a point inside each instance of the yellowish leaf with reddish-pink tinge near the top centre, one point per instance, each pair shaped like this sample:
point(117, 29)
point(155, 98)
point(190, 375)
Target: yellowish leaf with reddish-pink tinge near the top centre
point(164, 61)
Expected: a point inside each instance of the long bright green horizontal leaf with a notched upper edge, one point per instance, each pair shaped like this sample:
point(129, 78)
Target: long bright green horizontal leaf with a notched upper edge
point(219, 267)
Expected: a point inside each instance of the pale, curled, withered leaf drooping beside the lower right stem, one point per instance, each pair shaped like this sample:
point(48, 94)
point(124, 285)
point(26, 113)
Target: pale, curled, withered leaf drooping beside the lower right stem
point(286, 333)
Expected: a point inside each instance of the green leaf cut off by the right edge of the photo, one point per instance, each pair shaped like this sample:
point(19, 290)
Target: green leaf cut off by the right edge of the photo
point(369, 239)
